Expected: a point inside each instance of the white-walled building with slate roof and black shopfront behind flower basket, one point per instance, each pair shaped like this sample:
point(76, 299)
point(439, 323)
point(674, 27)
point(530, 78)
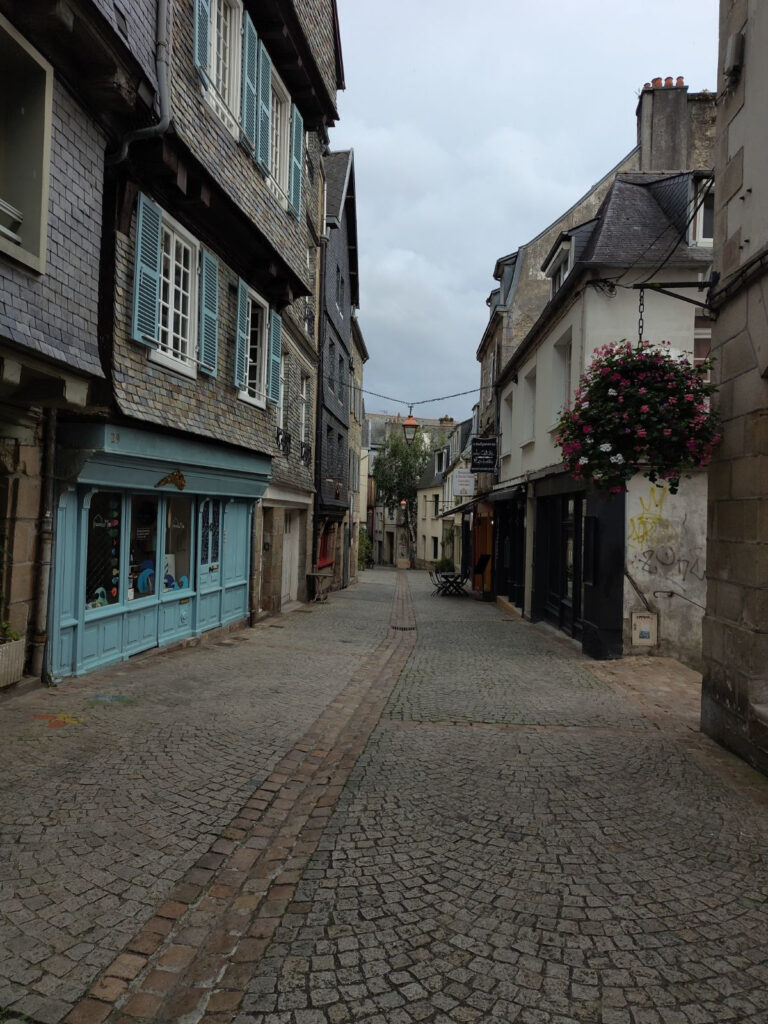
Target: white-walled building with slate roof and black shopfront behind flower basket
point(559, 301)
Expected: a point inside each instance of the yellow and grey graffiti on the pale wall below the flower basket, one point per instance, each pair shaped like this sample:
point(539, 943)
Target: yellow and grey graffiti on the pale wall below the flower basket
point(664, 545)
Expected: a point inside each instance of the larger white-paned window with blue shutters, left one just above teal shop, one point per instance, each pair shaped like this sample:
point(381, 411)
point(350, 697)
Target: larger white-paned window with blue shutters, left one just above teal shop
point(174, 316)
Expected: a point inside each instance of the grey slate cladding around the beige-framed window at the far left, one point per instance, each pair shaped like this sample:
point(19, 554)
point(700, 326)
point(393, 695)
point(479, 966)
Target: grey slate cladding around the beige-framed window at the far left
point(56, 314)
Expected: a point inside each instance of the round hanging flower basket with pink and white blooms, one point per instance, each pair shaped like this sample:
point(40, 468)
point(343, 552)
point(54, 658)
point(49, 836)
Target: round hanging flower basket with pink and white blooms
point(638, 409)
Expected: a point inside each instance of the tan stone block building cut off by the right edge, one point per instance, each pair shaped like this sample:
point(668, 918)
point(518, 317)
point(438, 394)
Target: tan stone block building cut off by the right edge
point(735, 701)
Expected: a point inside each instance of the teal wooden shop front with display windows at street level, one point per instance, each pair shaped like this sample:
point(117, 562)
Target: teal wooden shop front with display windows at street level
point(153, 542)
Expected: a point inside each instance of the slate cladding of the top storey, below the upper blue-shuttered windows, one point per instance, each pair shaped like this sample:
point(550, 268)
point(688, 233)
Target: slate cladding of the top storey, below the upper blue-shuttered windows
point(218, 150)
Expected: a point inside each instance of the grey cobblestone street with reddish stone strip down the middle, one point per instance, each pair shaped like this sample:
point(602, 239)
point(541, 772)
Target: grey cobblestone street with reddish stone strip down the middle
point(387, 809)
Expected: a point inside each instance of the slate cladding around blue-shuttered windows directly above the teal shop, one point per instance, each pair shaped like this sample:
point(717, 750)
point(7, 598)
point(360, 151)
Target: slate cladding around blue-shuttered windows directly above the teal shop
point(207, 407)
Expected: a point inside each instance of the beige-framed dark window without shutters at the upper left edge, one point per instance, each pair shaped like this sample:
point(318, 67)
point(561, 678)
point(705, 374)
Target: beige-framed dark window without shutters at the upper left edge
point(26, 91)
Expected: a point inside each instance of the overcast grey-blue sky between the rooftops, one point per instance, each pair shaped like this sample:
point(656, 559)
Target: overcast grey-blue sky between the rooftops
point(475, 125)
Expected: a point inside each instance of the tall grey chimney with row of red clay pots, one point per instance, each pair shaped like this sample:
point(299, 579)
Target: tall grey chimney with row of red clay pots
point(663, 125)
